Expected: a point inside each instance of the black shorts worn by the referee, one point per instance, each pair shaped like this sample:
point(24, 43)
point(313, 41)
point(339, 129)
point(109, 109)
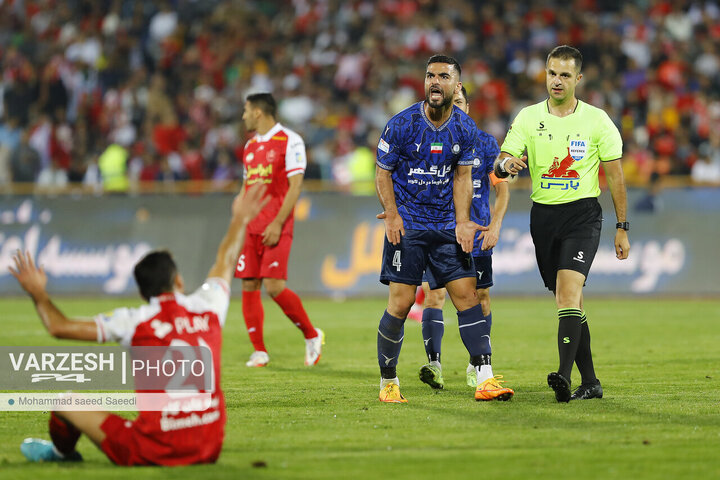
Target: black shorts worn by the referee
point(566, 236)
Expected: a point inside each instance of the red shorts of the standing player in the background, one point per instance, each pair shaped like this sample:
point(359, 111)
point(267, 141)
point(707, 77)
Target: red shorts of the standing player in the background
point(260, 261)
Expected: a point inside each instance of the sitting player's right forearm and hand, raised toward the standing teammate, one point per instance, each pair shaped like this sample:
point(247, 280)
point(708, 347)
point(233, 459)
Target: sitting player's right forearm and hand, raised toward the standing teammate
point(246, 205)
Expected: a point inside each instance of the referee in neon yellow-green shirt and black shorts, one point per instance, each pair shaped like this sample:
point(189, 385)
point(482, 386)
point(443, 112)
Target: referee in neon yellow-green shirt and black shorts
point(566, 141)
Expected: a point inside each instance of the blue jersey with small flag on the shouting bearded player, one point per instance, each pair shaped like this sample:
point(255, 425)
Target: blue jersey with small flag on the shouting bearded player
point(422, 159)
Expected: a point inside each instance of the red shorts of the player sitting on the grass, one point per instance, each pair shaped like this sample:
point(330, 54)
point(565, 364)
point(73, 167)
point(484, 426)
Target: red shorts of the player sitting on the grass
point(125, 444)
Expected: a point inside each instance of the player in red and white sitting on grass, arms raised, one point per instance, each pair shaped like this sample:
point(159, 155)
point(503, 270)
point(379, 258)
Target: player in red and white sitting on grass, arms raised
point(147, 440)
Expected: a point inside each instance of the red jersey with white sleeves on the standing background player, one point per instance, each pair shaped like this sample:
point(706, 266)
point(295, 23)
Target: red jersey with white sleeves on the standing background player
point(271, 159)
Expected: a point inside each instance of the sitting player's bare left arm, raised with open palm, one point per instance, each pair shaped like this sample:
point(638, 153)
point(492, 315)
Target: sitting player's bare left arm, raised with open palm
point(34, 281)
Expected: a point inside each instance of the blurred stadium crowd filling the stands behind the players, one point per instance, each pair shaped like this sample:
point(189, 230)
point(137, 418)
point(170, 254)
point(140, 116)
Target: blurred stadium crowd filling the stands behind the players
point(116, 92)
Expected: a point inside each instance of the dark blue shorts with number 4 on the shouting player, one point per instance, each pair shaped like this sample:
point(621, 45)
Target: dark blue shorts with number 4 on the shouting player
point(418, 250)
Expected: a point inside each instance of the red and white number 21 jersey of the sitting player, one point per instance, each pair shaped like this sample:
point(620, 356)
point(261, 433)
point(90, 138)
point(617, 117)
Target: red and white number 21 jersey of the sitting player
point(177, 319)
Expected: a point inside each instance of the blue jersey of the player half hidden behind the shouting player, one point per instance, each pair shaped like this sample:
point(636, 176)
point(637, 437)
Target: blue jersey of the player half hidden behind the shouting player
point(486, 151)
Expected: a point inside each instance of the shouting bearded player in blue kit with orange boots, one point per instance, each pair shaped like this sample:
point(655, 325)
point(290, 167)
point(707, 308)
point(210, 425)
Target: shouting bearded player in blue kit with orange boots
point(424, 182)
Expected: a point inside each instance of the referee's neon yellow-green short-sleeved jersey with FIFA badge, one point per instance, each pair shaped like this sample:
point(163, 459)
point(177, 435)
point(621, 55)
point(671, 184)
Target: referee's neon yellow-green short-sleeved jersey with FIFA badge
point(564, 153)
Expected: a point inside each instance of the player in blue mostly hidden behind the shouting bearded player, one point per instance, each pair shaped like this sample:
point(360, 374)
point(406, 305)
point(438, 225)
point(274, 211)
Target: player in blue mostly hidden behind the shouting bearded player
point(433, 325)
